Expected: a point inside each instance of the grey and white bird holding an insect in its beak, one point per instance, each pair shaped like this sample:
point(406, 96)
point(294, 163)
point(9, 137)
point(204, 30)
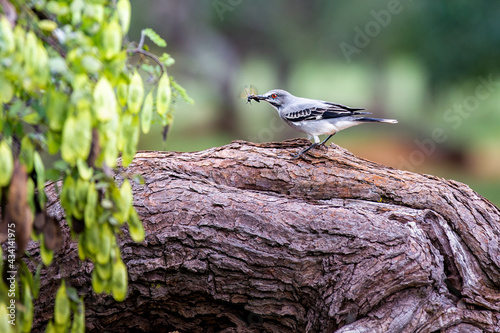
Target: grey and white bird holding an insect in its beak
point(315, 117)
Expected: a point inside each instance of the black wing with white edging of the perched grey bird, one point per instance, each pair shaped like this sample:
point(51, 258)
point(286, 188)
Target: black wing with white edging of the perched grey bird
point(329, 110)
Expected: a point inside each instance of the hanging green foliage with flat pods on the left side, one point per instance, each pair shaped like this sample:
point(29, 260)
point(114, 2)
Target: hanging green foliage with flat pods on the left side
point(67, 88)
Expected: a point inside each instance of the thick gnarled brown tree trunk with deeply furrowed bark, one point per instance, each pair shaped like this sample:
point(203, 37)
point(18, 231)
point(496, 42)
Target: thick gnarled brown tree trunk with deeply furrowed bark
point(244, 238)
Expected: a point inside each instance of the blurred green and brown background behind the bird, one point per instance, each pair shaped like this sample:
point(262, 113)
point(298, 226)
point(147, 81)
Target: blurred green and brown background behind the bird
point(433, 65)
